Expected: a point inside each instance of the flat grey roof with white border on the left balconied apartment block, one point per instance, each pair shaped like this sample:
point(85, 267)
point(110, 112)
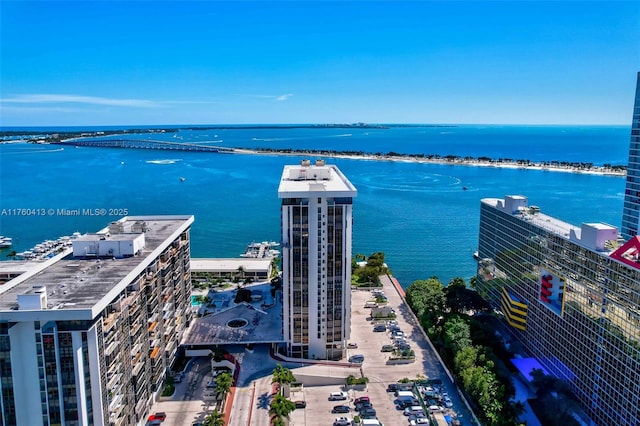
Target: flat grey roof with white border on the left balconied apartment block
point(83, 283)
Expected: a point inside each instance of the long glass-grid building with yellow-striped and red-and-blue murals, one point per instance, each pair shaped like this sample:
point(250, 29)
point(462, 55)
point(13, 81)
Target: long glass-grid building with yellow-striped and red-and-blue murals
point(571, 296)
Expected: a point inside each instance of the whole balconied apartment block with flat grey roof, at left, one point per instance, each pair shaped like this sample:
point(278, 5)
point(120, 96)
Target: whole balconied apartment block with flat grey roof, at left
point(87, 338)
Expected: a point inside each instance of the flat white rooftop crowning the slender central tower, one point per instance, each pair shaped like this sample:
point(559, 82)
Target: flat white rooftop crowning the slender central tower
point(319, 179)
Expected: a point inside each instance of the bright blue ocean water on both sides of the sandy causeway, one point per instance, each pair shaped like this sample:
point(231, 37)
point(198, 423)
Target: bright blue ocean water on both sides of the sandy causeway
point(418, 214)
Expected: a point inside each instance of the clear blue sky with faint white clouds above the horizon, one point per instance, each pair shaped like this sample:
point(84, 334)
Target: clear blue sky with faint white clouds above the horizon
point(213, 62)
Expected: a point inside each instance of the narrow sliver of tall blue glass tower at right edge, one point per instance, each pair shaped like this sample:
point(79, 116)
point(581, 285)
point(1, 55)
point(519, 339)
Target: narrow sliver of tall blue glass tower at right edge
point(631, 209)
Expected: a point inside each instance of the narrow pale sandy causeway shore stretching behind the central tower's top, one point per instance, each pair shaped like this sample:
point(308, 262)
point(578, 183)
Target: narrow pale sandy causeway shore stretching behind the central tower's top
point(593, 170)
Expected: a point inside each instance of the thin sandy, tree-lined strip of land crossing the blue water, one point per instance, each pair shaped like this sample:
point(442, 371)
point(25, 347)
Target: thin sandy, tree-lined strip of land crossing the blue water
point(554, 166)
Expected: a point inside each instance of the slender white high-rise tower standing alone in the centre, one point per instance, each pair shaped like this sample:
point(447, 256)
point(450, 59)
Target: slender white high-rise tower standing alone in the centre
point(317, 216)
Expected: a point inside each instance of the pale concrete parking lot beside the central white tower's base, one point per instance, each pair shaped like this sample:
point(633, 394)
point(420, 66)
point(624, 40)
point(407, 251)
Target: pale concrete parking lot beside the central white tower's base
point(375, 368)
